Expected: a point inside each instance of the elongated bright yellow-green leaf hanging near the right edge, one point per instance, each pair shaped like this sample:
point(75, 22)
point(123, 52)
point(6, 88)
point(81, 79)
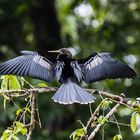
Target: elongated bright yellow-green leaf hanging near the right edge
point(133, 123)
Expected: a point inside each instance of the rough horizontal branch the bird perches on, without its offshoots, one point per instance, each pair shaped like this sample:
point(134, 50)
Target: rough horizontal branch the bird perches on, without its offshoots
point(115, 98)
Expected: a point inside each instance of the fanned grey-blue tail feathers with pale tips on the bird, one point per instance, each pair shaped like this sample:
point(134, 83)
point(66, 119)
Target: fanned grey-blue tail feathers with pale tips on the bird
point(70, 93)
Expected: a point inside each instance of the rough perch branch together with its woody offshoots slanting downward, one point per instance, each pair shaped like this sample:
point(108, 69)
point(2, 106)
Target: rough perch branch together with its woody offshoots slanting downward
point(34, 91)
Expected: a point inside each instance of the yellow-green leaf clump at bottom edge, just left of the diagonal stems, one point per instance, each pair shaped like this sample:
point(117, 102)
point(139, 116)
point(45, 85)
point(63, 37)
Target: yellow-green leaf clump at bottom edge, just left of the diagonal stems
point(77, 134)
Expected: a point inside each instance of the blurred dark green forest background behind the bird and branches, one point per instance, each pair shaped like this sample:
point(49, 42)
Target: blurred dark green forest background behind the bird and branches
point(88, 26)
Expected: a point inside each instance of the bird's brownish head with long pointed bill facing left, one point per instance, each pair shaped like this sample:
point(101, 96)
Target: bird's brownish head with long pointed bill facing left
point(62, 51)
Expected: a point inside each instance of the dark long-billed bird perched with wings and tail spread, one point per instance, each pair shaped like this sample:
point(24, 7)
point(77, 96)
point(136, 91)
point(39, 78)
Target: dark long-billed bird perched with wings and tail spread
point(68, 71)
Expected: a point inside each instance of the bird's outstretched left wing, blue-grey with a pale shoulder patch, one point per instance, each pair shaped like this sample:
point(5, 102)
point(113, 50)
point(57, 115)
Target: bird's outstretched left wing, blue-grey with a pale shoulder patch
point(29, 64)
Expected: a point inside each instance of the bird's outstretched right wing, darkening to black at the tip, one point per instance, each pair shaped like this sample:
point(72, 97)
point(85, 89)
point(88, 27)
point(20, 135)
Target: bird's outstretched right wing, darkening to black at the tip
point(101, 66)
